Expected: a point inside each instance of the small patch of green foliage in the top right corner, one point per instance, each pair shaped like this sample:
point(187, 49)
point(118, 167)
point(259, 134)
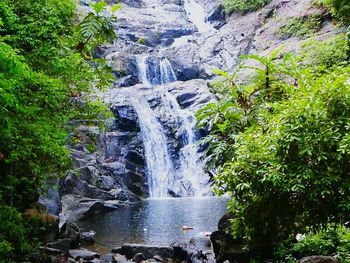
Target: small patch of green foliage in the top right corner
point(340, 9)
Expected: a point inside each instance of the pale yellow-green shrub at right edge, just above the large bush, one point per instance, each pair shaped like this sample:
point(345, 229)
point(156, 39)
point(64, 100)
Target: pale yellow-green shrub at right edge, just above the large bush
point(328, 52)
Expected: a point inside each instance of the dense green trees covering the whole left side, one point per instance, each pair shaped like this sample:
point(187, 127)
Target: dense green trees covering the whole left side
point(47, 78)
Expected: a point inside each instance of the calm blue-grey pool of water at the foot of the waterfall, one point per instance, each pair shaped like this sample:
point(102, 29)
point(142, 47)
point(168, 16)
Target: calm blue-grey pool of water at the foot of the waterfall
point(156, 221)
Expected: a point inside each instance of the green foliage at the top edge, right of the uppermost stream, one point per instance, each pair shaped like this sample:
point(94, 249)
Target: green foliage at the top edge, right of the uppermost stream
point(232, 6)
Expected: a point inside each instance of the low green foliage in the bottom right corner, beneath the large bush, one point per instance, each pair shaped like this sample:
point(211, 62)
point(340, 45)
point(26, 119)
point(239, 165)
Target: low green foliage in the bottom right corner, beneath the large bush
point(333, 241)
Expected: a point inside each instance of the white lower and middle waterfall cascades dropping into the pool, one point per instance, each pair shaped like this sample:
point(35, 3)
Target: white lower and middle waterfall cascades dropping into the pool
point(163, 176)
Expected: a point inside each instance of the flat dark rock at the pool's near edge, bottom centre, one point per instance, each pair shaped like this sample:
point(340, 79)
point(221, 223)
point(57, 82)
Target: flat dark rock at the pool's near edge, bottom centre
point(148, 251)
